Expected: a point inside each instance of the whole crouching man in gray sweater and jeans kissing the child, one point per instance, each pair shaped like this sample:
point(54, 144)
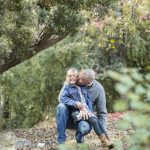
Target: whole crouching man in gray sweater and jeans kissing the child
point(63, 116)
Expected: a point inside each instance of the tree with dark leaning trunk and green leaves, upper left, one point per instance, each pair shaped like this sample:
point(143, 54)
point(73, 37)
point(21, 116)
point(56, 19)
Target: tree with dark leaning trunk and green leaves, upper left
point(28, 27)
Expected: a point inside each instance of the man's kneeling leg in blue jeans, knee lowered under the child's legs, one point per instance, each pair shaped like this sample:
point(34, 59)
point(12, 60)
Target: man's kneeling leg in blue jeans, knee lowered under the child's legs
point(83, 128)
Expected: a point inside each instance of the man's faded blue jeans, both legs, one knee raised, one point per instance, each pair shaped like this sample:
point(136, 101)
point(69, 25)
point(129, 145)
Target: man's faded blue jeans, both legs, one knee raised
point(65, 121)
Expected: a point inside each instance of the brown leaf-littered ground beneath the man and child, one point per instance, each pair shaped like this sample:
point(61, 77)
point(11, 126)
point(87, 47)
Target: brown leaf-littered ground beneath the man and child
point(43, 136)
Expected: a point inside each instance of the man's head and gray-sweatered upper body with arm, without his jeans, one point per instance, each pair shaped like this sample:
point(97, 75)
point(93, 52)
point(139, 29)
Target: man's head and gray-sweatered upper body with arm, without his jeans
point(96, 92)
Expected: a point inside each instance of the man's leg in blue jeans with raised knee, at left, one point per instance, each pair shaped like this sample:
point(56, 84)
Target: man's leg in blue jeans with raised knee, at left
point(62, 113)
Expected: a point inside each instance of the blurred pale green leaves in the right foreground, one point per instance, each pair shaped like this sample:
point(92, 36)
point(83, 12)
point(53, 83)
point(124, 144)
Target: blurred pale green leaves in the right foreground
point(134, 89)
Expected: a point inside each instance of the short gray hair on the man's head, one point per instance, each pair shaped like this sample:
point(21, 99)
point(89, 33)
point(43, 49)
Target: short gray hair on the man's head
point(89, 74)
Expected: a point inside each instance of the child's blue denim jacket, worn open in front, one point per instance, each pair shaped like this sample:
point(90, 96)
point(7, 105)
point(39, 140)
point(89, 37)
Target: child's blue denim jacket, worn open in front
point(71, 96)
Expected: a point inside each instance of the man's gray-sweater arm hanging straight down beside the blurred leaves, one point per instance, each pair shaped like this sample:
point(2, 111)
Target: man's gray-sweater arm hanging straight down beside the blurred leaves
point(101, 106)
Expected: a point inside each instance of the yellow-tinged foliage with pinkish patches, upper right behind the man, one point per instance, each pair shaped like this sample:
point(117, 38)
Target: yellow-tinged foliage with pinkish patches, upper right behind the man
point(119, 39)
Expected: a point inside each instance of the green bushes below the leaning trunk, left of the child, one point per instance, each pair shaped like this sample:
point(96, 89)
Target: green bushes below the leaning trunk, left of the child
point(31, 89)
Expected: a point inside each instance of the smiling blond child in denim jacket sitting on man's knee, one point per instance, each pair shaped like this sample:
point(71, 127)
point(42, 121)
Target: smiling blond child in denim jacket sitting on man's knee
point(77, 98)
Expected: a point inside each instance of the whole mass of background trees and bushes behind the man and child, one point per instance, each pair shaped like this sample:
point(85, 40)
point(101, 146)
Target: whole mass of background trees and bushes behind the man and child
point(116, 38)
